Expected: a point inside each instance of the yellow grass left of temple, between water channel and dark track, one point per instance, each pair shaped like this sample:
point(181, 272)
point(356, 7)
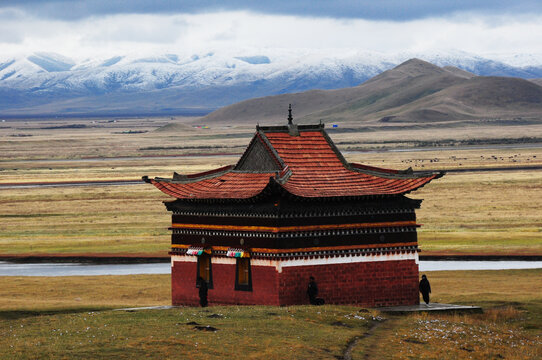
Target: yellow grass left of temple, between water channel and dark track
point(130, 219)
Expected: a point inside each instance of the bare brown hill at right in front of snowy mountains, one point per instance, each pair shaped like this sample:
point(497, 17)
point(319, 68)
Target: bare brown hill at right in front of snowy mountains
point(415, 91)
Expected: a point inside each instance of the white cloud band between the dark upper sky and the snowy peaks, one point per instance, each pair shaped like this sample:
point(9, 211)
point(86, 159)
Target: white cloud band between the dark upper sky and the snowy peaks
point(190, 33)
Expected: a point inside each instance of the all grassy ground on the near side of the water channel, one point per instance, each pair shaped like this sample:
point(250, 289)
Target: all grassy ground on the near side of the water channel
point(72, 319)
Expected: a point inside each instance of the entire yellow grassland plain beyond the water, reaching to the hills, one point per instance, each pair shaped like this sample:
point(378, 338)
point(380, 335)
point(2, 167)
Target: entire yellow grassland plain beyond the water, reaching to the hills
point(493, 212)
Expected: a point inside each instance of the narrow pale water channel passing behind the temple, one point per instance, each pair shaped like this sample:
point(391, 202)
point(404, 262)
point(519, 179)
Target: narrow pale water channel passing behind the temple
point(78, 269)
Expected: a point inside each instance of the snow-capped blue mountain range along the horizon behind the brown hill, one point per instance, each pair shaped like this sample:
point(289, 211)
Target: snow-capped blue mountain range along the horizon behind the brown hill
point(45, 83)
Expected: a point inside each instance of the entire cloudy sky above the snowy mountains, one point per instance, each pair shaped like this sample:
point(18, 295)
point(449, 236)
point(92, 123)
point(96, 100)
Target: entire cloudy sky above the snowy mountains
point(84, 28)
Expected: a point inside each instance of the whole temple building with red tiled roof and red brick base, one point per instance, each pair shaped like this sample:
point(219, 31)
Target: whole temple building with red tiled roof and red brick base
point(293, 207)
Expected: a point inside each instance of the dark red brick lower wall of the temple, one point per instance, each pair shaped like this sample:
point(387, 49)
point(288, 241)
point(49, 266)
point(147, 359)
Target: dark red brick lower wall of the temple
point(370, 284)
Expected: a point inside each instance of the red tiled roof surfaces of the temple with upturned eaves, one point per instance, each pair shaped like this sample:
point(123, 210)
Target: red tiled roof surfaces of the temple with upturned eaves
point(315, 169)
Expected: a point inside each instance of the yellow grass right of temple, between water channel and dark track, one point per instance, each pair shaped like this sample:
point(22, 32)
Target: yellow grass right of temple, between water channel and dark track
point(482, 213)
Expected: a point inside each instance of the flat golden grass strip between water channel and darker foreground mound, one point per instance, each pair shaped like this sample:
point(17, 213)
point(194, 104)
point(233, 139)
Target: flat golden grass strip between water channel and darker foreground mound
point(484, 288)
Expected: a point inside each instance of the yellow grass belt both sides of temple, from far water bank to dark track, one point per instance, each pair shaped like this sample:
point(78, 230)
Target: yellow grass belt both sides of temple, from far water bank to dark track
point(460, 213)
